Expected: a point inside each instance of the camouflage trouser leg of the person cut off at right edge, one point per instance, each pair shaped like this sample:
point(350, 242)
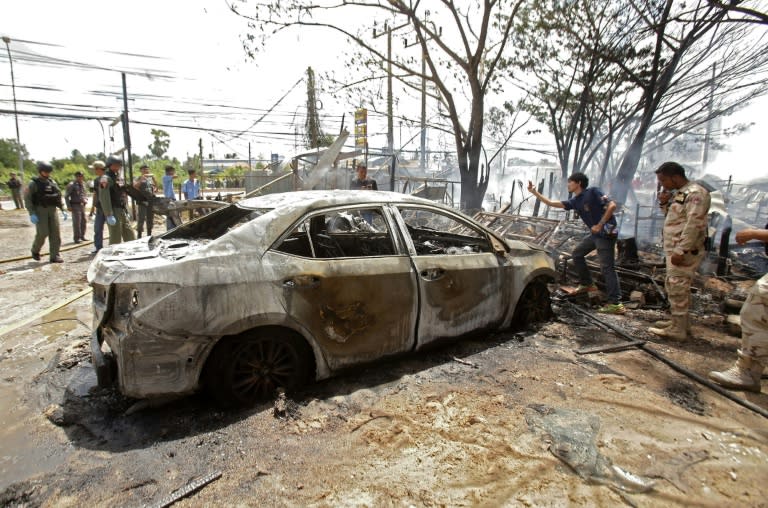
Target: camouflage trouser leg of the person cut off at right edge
point(754, 322)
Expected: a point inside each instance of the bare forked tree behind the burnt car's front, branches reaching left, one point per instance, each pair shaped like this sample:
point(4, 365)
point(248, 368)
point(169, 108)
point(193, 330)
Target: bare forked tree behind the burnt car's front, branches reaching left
point(462, 46)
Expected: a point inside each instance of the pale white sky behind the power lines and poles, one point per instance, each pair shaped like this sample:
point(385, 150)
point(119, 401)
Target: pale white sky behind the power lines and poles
point(186, 67)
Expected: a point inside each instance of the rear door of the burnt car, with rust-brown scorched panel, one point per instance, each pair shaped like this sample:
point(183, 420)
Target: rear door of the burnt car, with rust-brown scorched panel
point(348, 281)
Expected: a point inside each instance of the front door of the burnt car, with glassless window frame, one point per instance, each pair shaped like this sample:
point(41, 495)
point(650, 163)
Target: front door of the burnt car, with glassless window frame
point(461, 273)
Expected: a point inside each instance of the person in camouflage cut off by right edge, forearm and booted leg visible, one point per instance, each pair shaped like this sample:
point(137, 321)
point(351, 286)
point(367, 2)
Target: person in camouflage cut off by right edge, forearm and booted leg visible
point(752, 358)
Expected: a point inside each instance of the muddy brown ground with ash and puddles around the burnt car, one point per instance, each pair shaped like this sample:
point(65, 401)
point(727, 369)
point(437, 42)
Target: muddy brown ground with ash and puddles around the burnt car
point(509, 419)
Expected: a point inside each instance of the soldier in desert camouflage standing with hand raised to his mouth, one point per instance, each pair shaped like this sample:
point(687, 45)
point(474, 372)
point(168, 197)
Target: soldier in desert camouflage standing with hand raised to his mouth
point(685, 232)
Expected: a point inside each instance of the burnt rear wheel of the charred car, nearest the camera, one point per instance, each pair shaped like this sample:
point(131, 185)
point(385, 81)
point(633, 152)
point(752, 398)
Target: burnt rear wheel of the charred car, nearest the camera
point(244, 370)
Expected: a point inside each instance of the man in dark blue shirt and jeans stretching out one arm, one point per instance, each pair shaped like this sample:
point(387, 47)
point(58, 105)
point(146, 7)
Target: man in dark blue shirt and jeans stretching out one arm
point(596, 210)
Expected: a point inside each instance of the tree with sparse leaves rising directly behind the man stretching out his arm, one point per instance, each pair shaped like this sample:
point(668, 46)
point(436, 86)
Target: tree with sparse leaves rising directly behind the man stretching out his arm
point(575, 92)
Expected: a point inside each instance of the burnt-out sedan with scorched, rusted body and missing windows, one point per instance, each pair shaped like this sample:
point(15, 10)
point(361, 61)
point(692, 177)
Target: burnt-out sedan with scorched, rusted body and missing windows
point(279, 290)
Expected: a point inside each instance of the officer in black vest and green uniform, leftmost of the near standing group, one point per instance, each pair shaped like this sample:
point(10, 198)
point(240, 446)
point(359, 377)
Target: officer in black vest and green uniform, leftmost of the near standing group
point(42, 198)
